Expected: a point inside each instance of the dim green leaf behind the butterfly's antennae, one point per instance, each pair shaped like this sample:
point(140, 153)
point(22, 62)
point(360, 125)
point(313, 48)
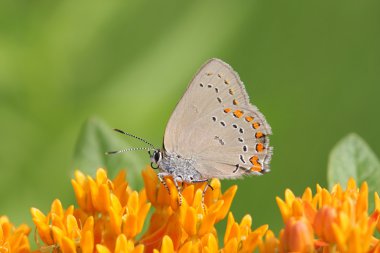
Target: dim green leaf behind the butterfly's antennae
point(94, 140)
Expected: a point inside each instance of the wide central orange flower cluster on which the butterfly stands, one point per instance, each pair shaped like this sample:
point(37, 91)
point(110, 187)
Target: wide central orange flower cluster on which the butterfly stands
point(111, 216)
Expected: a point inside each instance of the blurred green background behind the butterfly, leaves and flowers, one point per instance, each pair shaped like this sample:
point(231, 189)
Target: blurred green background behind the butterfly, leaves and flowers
point(312, 67)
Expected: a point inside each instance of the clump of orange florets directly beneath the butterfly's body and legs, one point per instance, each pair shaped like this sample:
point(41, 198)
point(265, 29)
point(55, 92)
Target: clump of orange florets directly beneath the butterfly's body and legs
point(188, 222)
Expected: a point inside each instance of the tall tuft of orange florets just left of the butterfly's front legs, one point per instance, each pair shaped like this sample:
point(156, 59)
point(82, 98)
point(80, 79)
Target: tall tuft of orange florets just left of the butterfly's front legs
point(115, 207)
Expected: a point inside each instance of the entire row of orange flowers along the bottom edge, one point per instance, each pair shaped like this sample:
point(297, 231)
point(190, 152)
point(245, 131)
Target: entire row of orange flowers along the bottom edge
point(110, 217)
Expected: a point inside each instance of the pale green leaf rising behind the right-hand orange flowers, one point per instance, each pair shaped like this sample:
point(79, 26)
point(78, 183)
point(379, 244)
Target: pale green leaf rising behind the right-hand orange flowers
point(352, 157)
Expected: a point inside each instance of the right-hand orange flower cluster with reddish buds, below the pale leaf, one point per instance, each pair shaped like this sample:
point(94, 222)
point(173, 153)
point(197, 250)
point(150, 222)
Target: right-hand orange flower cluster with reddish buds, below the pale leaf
point(327, 222)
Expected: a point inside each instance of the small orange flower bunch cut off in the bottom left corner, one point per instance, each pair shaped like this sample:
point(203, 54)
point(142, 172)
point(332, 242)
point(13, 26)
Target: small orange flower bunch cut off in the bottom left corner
point(14, 240)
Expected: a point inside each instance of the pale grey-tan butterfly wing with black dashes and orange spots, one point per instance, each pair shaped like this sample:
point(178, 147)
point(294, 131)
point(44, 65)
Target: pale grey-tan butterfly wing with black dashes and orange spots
point(215, 125)
